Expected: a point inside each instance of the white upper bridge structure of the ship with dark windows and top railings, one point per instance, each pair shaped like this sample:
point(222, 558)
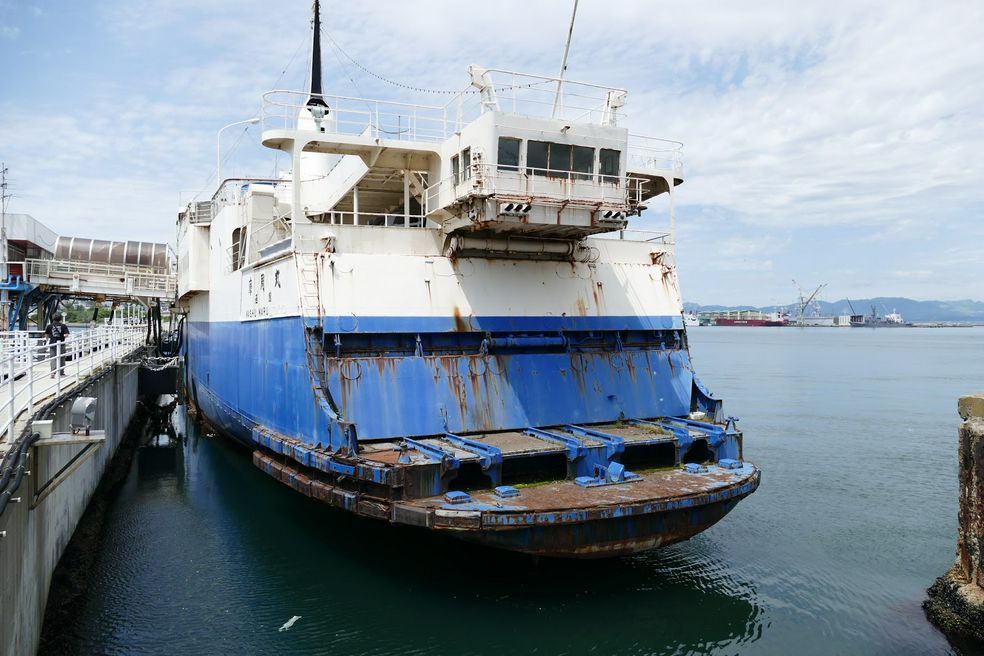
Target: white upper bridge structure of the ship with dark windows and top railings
point(510, 157)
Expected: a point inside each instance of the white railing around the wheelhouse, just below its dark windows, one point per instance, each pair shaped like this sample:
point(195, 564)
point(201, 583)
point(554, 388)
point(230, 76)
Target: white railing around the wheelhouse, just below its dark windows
point(559, 186)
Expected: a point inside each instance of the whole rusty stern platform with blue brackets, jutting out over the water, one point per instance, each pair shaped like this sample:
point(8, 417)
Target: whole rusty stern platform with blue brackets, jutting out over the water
point(609, 512)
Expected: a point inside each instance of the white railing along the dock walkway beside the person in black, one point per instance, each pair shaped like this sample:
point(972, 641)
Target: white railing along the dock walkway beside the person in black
point(30, 372)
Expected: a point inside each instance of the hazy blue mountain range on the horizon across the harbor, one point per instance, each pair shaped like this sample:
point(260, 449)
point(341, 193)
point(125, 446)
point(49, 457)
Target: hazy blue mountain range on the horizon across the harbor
point(909, 309)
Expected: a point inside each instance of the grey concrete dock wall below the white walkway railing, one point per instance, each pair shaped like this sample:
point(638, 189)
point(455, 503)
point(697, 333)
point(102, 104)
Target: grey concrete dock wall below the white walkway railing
point(35, 538)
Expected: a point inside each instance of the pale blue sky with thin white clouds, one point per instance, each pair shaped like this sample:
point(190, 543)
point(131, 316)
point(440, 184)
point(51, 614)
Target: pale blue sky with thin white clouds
point(836, 142)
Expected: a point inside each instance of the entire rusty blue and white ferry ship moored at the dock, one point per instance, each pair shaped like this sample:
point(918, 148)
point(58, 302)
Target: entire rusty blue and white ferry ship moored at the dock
point(439, 318)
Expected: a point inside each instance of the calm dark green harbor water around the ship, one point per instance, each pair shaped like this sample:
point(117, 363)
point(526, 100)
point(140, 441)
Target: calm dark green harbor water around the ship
point(854, 429)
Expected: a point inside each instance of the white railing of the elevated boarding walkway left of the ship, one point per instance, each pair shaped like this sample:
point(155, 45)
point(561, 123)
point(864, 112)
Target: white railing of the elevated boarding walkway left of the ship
point(123, 279)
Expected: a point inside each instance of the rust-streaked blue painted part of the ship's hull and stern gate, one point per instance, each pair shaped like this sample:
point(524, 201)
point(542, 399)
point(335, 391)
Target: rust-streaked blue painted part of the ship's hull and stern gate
point(256, 374)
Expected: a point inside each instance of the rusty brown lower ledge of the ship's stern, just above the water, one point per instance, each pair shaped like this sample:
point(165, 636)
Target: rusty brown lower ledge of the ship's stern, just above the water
point(553, 519)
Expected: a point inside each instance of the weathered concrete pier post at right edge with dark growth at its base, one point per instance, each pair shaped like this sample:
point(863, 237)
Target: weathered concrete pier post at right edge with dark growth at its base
point(956, 600)
